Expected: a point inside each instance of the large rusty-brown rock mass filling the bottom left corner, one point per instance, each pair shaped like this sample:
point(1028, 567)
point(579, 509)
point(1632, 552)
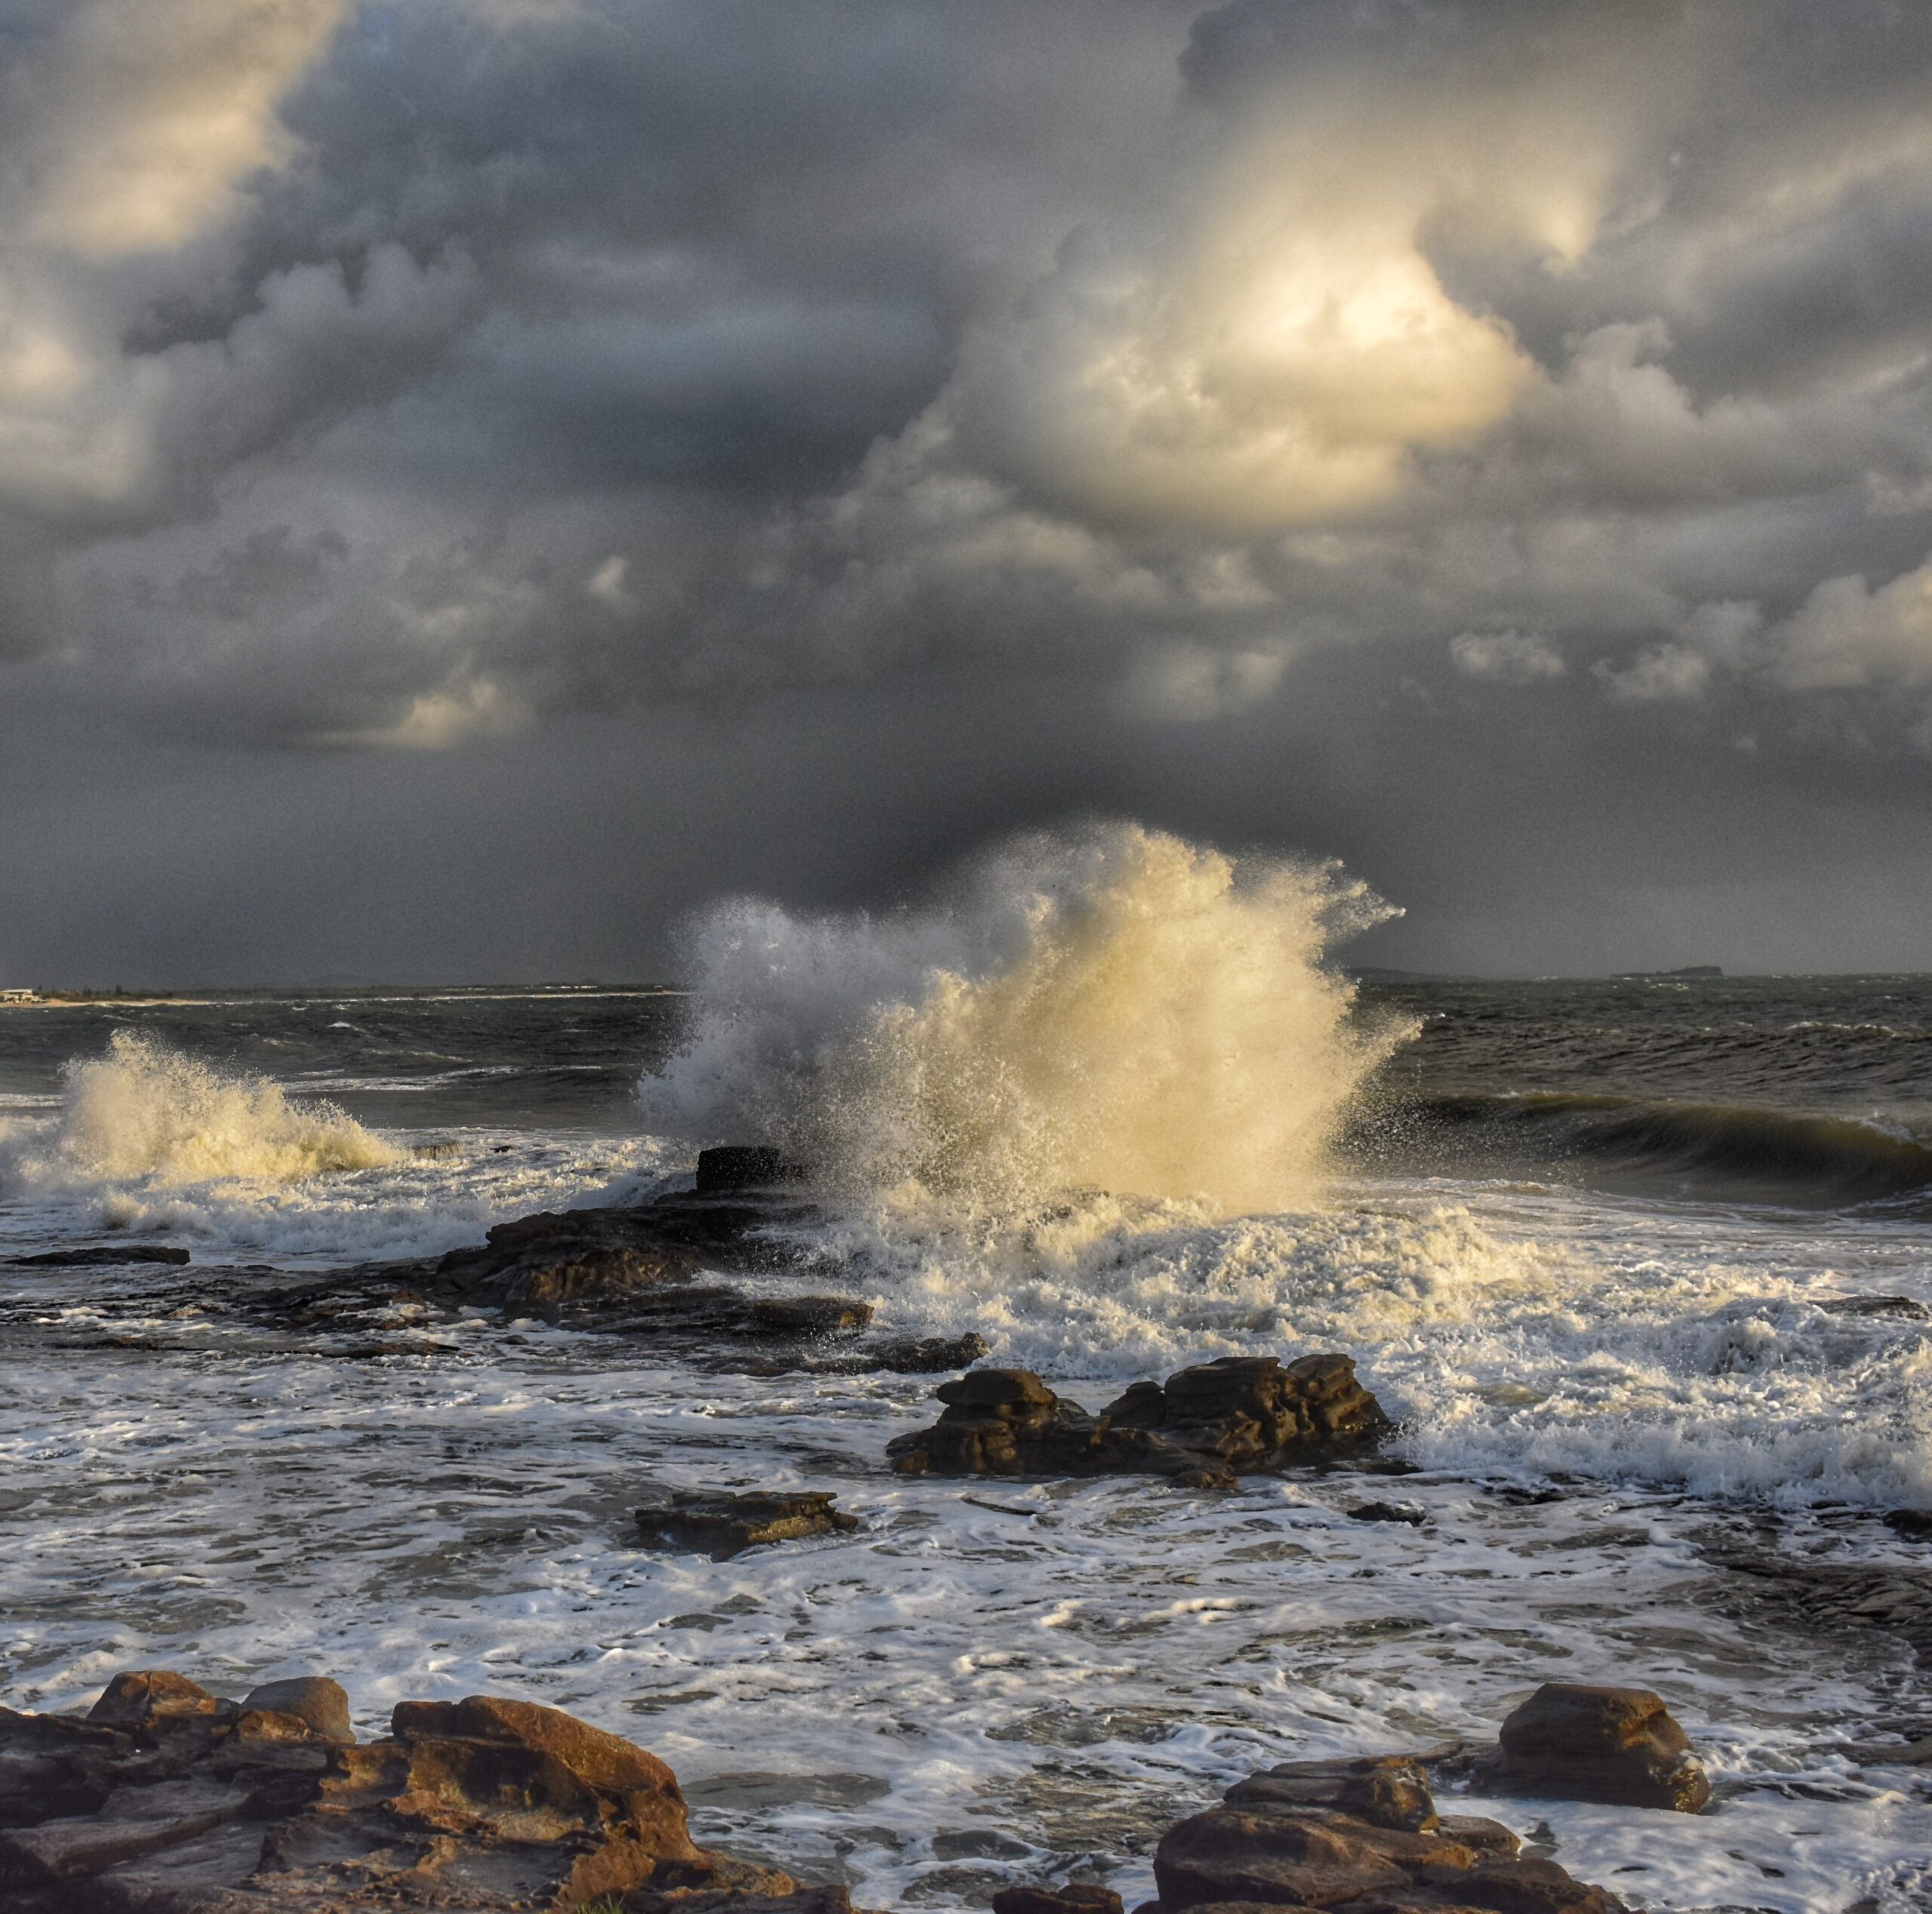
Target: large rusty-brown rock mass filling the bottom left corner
point(169, 1801)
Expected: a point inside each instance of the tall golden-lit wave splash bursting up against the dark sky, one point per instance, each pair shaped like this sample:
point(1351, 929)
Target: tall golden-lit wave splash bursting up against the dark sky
point(1104, 1009)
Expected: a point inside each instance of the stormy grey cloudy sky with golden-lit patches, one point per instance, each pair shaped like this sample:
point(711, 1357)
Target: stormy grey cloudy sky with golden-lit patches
point(480, 478)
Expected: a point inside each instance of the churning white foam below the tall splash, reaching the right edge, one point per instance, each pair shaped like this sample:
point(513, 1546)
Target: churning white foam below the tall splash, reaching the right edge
point(1512, 1334)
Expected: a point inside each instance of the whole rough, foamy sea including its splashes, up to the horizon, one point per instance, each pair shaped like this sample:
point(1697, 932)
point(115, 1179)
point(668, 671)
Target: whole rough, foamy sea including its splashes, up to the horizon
point(1639, 1264)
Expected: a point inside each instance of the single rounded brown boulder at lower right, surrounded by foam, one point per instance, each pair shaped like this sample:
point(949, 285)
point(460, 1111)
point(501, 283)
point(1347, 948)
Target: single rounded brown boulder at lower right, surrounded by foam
point(1601, 1745)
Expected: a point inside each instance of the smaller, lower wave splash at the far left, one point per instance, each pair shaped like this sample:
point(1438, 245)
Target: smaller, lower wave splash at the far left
point(144, 1113)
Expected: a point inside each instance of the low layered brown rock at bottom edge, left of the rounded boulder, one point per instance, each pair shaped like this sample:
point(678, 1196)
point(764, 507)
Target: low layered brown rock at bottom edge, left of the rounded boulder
point(1359, 1836)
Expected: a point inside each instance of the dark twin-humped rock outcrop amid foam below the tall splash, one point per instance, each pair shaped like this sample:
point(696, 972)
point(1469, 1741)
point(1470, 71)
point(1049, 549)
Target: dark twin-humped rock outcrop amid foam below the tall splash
point(1207, 1424)
